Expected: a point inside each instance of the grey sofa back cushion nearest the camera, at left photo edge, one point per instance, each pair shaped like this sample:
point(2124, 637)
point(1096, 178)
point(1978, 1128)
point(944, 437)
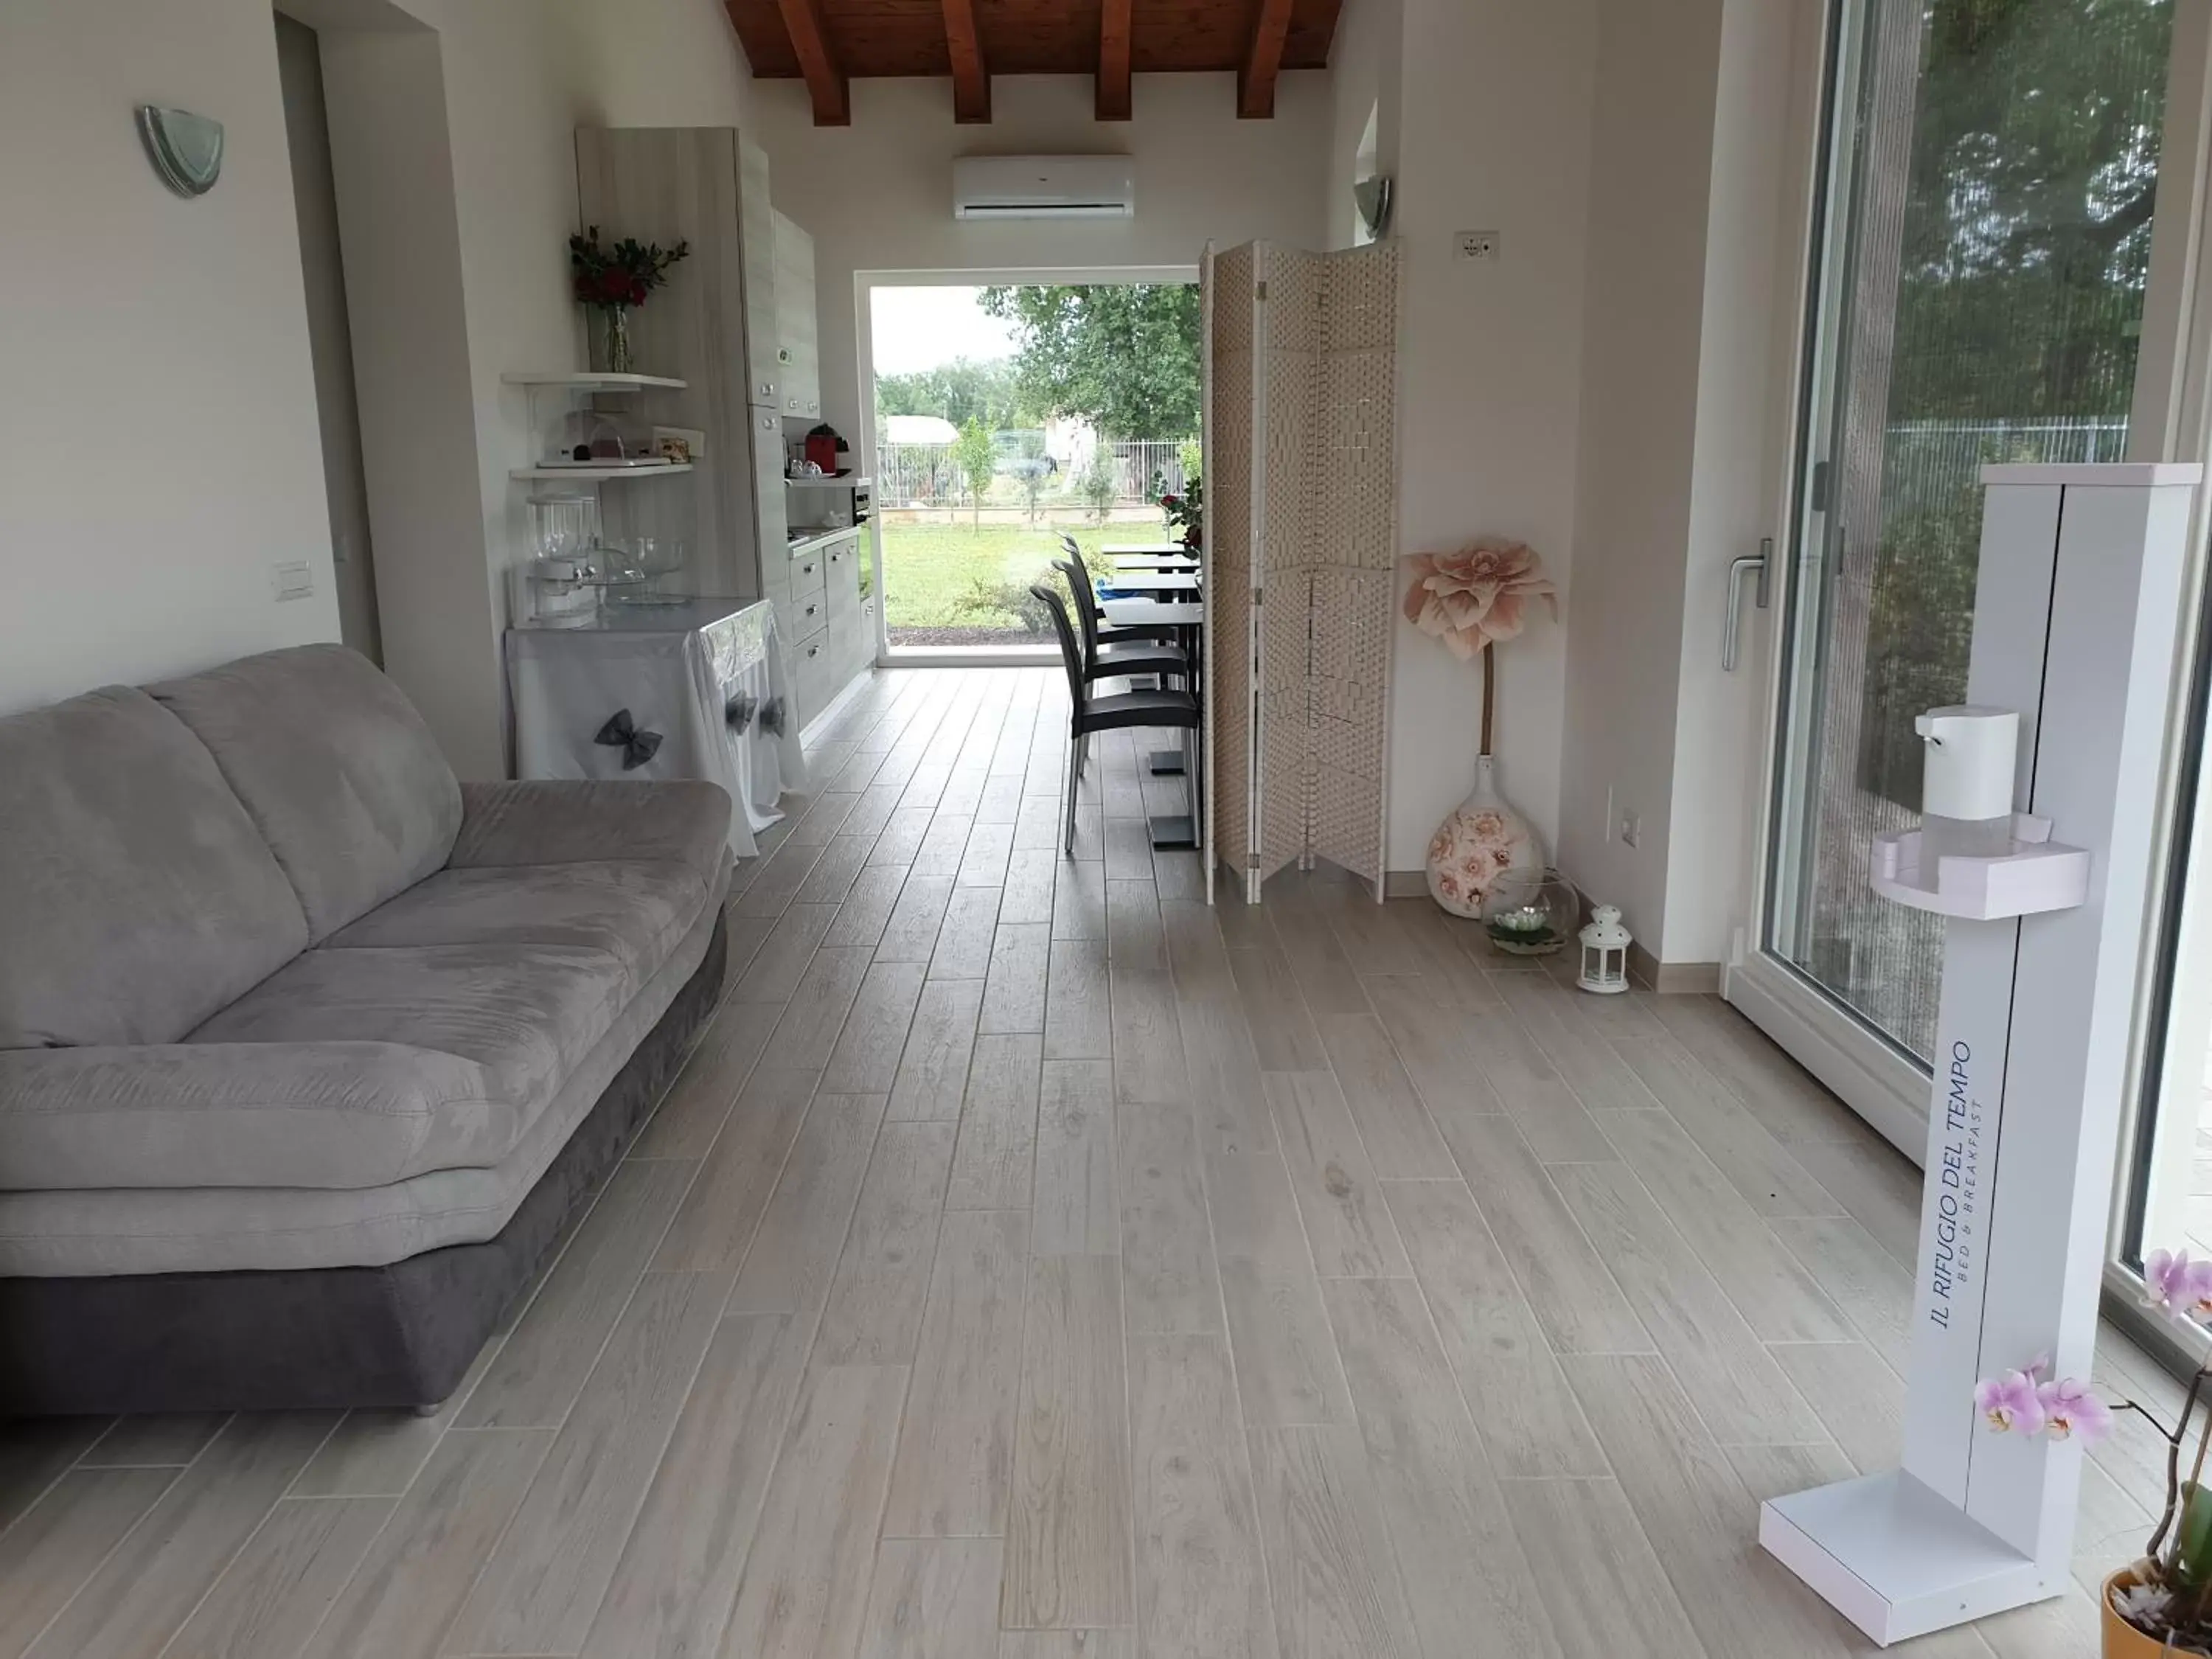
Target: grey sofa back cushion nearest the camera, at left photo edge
point(136, 895)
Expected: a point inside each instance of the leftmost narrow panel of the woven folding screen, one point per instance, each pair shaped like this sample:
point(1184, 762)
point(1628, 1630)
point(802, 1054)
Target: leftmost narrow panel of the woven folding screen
point(1229, 534)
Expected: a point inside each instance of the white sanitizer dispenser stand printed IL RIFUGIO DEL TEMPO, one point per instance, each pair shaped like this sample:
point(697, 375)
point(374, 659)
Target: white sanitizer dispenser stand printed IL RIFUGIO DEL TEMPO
point(2078, 614)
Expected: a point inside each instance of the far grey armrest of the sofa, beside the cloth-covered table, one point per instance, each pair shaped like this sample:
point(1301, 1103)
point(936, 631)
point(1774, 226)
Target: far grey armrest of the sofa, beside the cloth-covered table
point(570, 822)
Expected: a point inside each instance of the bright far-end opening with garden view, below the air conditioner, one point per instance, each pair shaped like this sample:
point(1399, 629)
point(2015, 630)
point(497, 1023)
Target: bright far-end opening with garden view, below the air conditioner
point(1008, 417)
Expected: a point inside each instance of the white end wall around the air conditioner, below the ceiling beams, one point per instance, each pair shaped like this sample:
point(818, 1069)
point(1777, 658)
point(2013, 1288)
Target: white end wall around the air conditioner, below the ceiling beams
point(877, 196)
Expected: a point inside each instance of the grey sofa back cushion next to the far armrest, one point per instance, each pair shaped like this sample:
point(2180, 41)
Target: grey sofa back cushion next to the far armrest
point(337, 771)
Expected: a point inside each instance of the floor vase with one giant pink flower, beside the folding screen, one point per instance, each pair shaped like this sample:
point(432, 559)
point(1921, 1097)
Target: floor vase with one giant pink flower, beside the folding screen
point(1474, 601)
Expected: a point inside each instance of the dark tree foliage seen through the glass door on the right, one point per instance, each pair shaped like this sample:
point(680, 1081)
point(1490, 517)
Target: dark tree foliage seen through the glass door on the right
point(2025, 260)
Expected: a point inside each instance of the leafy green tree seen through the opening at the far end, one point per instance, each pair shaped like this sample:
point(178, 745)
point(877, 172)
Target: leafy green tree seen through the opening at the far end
point(1123, 357)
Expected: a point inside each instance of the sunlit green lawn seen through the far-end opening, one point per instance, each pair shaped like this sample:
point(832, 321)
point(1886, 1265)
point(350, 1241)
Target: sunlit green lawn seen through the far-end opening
point(950, 585)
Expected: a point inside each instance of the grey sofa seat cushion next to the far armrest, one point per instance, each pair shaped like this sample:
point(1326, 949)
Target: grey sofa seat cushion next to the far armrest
point(629, 910)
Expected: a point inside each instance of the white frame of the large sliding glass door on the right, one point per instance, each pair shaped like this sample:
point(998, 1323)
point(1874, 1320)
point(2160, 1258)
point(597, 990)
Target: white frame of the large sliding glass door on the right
point(2171, 421)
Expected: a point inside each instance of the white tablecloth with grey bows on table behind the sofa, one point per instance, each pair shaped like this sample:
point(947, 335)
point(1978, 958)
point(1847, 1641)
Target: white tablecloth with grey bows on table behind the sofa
point(709, 678)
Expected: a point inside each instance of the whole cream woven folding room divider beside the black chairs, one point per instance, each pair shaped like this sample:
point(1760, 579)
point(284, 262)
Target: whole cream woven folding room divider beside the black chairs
point(1302, 530)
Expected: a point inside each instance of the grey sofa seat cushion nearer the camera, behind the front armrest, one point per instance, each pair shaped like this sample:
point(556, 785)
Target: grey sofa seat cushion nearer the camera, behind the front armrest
point(525, 1014)
